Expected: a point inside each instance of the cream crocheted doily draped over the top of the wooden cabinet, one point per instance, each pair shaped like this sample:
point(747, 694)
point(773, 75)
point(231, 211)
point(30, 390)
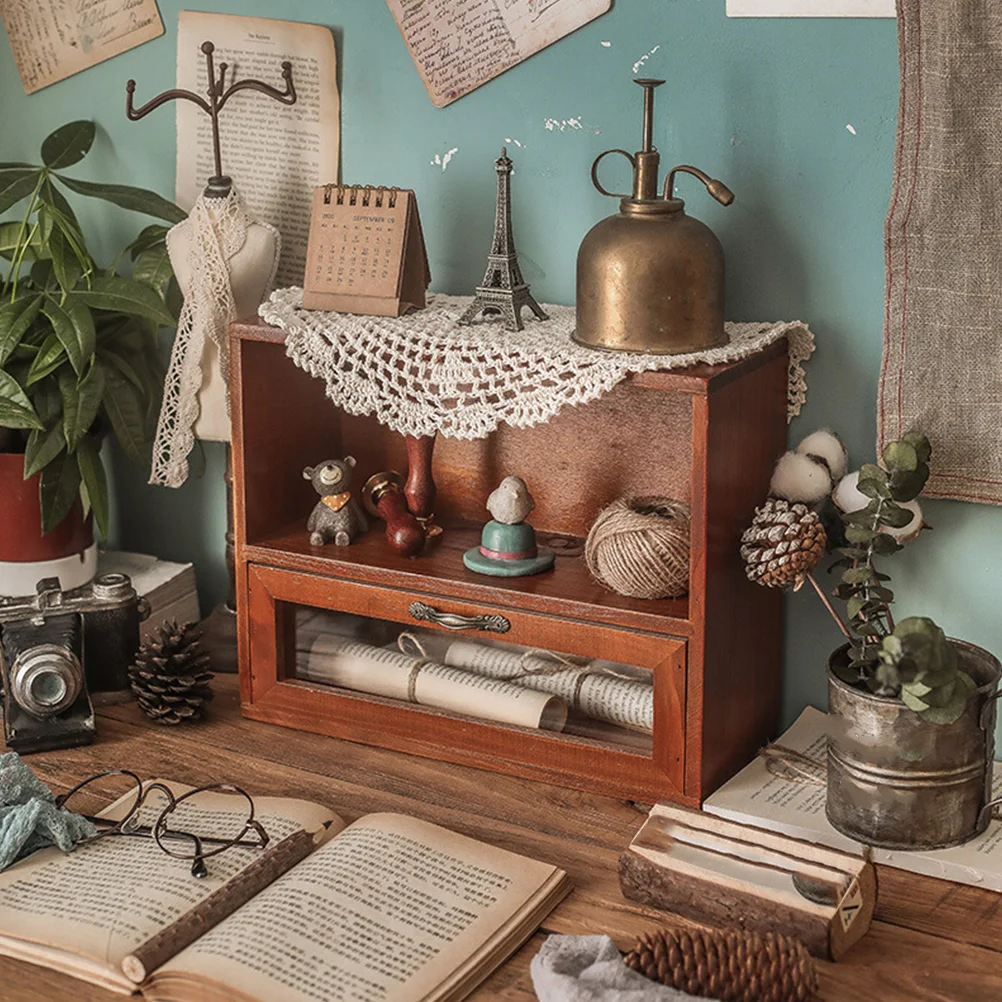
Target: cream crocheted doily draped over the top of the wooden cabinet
point(422, 374)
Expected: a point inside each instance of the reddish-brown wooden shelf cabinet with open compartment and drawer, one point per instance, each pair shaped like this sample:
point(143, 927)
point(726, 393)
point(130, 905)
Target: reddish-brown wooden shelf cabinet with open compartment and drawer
point(709, 435)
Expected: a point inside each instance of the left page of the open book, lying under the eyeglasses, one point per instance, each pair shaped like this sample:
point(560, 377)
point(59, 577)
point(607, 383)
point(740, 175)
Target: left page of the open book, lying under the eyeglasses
point(105, 900)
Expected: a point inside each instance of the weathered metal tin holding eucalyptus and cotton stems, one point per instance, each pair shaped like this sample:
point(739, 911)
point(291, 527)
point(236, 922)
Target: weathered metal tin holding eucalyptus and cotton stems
point(898, 782)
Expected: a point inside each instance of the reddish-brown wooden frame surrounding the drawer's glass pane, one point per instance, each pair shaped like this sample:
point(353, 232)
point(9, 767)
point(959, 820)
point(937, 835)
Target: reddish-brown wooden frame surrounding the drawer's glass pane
point(590, 765)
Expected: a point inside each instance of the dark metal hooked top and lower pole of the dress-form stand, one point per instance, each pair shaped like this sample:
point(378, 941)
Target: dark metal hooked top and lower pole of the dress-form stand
point(220, 628)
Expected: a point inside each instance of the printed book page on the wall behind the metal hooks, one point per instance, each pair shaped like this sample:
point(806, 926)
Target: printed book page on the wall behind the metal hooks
point(276, 154)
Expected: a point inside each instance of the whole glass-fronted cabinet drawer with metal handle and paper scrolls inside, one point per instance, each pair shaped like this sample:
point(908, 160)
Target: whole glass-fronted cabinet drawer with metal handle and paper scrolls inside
point(342, 658)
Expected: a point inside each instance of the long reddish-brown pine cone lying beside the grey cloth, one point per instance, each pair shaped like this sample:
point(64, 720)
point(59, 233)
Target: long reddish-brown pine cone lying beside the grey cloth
point(735, 966)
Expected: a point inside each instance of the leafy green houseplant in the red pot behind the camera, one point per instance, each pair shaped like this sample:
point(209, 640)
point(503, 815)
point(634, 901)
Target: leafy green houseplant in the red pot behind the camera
point(79, 350)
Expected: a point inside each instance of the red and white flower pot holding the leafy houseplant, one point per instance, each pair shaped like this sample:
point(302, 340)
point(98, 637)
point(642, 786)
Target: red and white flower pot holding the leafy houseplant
point(25, 552)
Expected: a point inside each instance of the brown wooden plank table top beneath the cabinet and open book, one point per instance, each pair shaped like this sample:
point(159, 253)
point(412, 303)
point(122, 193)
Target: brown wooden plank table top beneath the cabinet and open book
point(931, 941)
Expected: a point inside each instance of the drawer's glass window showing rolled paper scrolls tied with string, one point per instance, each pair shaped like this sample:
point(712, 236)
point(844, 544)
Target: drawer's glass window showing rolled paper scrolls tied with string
point(480, 677)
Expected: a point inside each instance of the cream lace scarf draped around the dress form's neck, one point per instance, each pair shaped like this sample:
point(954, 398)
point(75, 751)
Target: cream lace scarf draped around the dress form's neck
point(219, 231)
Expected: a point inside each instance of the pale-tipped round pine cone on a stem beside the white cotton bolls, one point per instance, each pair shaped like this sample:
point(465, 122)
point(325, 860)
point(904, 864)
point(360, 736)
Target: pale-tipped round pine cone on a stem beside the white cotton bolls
point(785, 543)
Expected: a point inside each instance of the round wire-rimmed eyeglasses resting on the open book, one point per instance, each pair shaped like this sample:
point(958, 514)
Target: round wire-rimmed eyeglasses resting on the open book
point(173, 828)
